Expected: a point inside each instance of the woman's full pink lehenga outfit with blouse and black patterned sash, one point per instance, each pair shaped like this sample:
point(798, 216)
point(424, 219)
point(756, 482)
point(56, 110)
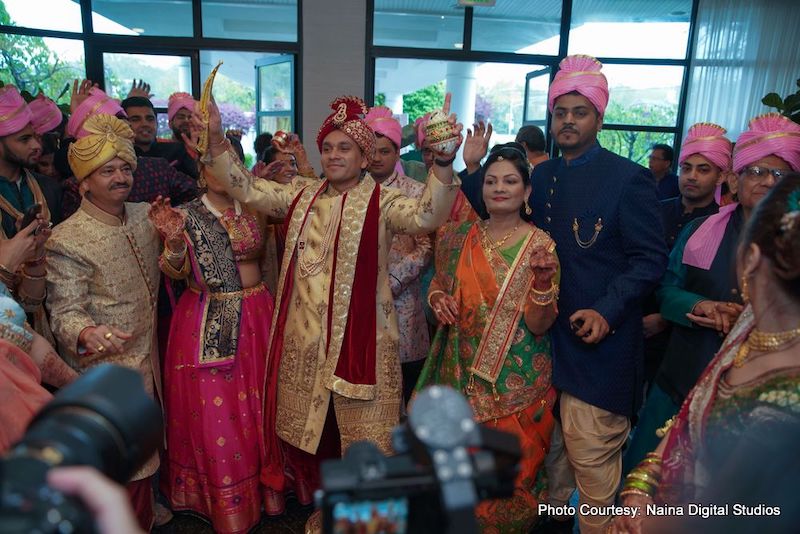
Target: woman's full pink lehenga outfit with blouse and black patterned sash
point(214, 374)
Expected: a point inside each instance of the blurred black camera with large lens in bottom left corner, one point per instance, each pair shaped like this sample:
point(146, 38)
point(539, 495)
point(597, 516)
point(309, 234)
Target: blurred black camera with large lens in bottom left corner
point(106, 420)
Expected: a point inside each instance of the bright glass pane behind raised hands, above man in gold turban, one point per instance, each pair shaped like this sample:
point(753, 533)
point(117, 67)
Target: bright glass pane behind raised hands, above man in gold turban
point(165, 74)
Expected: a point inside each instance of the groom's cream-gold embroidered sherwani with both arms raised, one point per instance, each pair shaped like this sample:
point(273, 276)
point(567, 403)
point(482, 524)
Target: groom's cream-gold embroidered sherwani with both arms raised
point(308, 366)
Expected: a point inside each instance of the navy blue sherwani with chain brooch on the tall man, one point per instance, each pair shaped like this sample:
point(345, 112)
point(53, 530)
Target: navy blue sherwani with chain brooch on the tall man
point(610, 272)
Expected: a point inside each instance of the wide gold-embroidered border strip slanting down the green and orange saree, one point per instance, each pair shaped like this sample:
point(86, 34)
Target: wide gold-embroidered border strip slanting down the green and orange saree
point(502, 322)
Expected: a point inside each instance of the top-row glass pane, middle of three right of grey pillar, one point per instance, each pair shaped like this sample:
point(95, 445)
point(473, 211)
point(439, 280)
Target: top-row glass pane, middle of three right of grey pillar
point(512, 26)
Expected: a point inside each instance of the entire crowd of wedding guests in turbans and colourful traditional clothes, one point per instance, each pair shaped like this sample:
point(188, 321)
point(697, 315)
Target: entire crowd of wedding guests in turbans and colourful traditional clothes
point(627, 325)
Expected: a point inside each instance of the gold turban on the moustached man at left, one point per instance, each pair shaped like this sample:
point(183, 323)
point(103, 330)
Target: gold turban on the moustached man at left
point(108, 138)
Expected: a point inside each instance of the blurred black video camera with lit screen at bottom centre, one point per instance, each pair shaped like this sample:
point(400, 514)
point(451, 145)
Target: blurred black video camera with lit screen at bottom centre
point(445, 465)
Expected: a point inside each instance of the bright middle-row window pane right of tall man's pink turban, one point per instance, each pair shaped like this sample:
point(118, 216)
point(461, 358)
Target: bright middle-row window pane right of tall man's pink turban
point(643, 94)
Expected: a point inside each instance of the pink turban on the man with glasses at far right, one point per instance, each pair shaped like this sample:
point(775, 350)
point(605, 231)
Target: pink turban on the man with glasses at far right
point(768, 135)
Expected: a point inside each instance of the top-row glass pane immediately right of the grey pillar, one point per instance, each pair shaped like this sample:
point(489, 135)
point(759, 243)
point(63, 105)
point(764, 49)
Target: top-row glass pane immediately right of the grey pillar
point(429, 24)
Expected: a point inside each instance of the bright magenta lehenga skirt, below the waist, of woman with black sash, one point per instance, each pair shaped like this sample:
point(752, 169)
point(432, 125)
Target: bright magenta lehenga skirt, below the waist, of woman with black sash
point(214, 425)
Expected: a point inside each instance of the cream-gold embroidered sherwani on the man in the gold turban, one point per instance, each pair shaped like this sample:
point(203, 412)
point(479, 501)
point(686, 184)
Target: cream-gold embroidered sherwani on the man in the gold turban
point(104, 271)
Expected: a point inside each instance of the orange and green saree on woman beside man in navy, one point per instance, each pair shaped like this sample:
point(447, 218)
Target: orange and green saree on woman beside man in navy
point(521, 398)
